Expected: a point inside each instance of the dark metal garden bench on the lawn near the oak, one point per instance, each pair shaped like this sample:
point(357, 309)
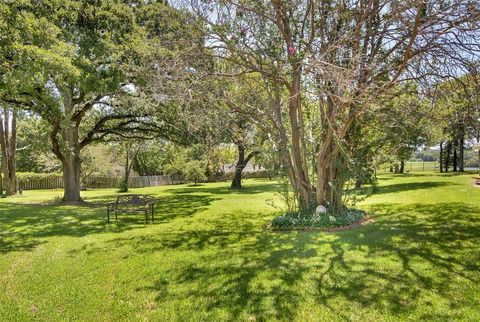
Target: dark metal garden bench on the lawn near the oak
point(132, 204)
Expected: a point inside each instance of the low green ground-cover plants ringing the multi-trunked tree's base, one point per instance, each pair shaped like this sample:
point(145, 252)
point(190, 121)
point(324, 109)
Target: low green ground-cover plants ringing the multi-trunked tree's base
point(300, 220)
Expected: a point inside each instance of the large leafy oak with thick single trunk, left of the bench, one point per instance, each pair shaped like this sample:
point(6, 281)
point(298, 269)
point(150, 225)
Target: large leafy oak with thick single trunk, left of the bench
point(88, 87)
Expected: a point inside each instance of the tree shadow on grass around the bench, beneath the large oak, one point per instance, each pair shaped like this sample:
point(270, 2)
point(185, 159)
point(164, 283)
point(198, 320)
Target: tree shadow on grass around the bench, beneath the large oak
point(25, 226)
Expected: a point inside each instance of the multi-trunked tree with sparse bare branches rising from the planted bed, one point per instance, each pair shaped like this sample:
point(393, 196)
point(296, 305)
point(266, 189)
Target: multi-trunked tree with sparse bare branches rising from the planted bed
point(342, 55)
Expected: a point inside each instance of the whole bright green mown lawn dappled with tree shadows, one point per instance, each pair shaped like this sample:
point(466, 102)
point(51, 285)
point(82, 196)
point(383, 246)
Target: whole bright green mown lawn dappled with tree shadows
point(209, 257)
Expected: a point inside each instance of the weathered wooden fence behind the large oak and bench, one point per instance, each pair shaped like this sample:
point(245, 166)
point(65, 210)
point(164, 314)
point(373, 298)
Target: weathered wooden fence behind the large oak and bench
point(99, 182)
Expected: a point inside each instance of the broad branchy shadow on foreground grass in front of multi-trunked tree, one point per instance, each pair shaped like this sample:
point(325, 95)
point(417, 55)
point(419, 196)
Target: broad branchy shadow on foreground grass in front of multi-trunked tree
point(386, 266)
